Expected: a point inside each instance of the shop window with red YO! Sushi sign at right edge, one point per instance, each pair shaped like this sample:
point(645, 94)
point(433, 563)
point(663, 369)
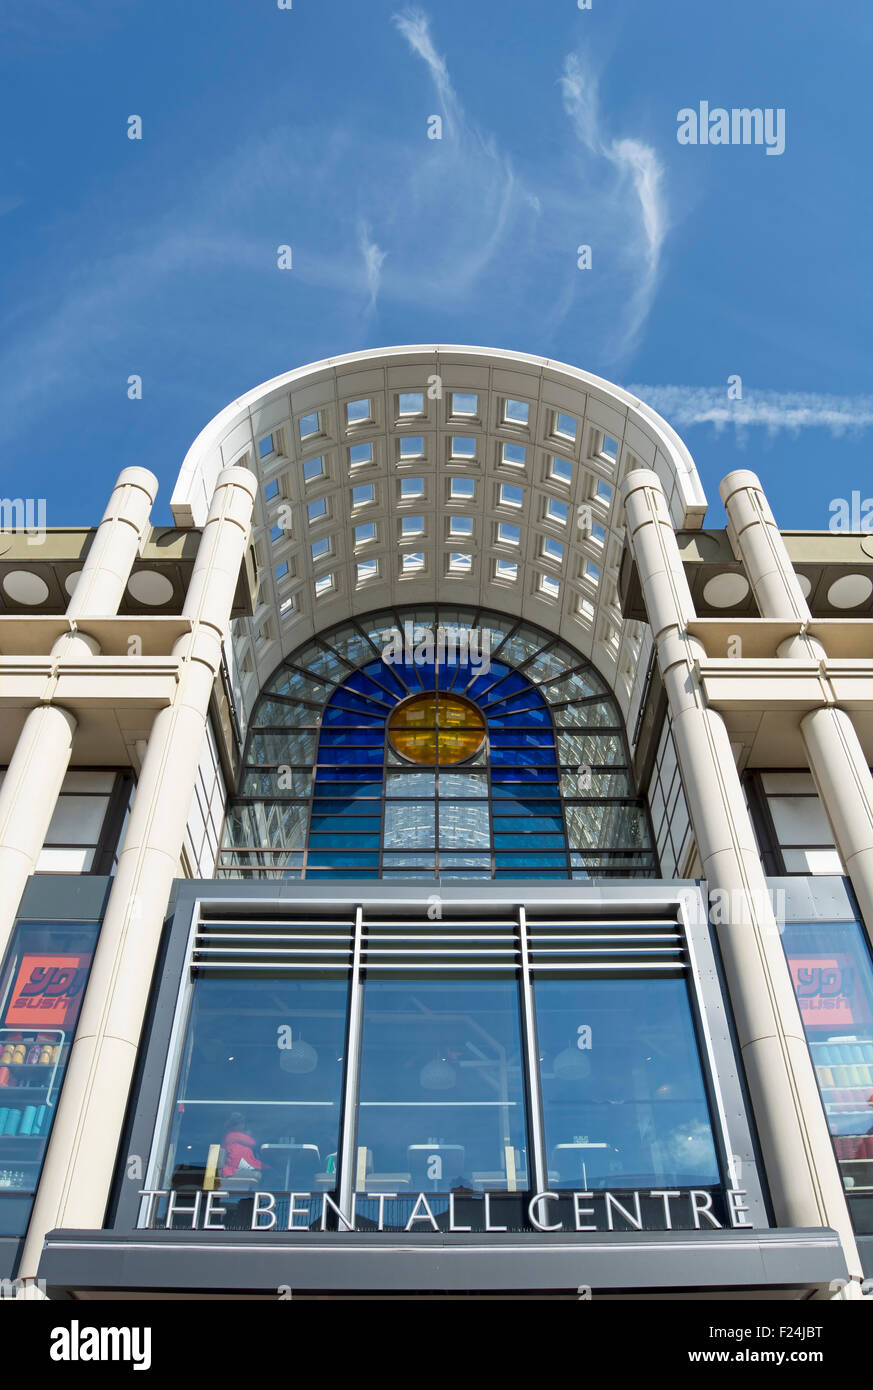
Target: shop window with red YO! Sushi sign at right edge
point(833, 981)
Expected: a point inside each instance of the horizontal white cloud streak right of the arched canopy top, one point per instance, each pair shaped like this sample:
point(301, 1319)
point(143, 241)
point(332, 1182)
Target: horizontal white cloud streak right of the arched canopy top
point(771, 411)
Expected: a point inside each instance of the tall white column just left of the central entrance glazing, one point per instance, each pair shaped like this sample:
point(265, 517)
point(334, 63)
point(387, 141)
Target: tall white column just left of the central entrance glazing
point(81, 1156)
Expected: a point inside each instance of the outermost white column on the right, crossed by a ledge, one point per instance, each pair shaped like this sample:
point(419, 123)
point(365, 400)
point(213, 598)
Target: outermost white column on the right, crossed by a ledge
point(833, 750)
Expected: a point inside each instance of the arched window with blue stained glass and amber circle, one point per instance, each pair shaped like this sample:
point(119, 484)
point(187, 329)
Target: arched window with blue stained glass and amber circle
point(437, 744)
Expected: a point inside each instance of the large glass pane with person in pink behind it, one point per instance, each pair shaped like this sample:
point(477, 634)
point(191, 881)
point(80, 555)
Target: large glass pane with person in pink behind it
point(258, 1100)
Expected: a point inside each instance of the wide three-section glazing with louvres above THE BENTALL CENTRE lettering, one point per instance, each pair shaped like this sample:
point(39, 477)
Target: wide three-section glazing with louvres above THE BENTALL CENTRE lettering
point(446, 1100)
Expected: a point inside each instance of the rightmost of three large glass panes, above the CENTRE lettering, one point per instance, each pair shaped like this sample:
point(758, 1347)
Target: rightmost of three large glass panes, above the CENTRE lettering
point(623, 1096)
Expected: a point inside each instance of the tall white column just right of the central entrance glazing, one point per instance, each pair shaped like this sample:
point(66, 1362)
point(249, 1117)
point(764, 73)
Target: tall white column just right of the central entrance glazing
point(799, 1157)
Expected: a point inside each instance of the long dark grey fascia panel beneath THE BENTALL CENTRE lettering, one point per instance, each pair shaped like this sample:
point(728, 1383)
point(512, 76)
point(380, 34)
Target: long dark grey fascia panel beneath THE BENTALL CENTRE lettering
point(87, 1261)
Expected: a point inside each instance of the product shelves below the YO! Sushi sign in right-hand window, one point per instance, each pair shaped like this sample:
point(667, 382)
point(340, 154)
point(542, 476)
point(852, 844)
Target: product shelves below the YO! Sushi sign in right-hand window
point(845, 1067)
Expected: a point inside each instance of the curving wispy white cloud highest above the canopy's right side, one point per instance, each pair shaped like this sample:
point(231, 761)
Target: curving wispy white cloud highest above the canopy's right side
point(640, 173)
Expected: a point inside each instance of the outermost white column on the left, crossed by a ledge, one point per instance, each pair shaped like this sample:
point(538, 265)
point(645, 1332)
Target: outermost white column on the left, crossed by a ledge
point(42, 755)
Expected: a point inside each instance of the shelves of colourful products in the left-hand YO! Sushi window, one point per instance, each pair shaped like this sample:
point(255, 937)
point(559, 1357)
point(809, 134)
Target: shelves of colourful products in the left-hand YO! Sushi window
point(30, 1063)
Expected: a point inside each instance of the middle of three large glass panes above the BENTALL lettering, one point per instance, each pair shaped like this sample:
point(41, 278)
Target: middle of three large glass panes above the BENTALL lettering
point(441, 1106)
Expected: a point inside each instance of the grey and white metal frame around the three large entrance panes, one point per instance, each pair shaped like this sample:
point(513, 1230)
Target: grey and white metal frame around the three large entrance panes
point(682, 903)
